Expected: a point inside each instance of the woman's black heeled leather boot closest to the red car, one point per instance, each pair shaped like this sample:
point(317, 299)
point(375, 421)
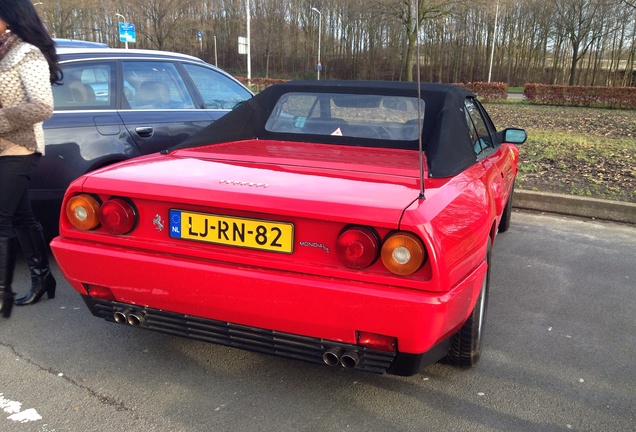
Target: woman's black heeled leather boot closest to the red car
point(35, 251)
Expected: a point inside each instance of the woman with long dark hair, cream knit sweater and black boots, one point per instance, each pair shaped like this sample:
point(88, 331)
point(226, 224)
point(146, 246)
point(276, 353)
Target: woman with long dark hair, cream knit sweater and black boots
point(28, 67)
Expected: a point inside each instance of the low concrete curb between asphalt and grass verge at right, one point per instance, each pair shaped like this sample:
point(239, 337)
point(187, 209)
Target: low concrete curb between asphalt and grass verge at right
point(615, 211)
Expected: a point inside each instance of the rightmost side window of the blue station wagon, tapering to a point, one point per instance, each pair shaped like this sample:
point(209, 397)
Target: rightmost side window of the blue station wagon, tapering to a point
point(217, 90)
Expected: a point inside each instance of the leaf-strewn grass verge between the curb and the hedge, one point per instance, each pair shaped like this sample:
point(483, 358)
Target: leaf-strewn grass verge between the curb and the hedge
point(578, 151)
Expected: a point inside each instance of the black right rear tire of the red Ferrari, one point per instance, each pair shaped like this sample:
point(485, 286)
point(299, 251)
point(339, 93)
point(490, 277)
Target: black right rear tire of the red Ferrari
point(465, 349)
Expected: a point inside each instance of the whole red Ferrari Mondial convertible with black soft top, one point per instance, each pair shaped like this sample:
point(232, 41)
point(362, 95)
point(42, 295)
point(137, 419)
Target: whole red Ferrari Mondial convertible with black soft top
point(339, 222)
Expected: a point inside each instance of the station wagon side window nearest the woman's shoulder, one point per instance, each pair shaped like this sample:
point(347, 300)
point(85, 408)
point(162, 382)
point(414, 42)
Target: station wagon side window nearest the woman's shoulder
point(85, 86)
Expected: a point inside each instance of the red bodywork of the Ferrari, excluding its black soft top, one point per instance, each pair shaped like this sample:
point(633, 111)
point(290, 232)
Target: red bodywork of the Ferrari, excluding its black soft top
point(284, 289)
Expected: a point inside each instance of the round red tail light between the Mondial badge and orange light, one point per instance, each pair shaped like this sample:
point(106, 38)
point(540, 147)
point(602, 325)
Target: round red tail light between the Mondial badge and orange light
point(358, 247)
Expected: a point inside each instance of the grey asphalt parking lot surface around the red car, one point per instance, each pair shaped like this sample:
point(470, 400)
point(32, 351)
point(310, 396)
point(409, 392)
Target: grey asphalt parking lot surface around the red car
point(560, 356)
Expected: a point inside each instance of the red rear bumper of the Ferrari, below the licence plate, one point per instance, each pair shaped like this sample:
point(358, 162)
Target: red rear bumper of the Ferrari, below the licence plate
point(327, 312)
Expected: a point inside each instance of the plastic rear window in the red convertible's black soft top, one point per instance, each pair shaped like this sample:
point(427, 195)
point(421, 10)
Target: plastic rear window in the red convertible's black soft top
point(381, 117)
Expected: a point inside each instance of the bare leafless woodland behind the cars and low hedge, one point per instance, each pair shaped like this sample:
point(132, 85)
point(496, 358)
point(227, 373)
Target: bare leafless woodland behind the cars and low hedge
point(551, 41)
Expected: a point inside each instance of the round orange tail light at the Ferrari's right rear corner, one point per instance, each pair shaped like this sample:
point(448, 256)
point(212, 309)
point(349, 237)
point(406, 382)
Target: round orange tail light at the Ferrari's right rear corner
point(403, 253)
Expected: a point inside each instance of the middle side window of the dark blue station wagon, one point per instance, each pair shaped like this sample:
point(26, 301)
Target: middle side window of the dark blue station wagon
point(155, 85)
